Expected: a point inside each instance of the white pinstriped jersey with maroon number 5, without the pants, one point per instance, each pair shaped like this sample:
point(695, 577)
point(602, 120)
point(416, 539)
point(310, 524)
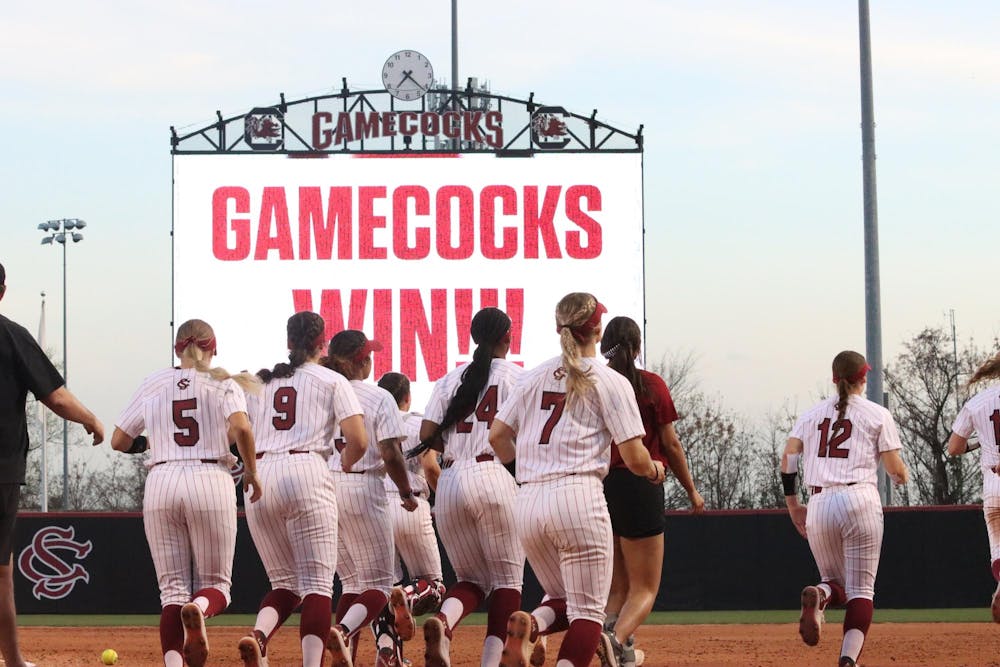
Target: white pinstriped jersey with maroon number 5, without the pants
point(184, 414)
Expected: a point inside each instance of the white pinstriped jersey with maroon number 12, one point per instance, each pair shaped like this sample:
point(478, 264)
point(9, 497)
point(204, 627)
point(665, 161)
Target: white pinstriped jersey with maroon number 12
point(844, 451)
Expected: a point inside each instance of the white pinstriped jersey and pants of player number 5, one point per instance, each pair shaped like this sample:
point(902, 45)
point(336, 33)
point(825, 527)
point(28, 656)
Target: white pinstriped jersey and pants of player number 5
point(189, 506)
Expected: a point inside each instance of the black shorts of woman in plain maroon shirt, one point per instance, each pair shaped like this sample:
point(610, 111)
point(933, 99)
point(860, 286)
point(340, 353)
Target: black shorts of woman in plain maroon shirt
point(635, 505)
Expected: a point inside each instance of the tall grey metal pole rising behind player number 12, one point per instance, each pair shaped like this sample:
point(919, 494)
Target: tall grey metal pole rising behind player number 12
point(873, 308)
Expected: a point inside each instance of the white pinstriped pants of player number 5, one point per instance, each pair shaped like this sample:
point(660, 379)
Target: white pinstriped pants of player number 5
point(189, 513)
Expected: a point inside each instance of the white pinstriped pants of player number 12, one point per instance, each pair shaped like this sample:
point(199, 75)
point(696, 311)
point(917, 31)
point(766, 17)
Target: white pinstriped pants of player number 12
point(844, 524)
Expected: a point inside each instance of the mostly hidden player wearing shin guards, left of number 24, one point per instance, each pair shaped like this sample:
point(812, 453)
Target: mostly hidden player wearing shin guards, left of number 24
point(413, 532)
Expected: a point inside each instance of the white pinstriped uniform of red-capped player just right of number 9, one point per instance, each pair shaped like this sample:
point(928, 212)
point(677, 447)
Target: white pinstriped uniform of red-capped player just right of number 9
point(365, 551)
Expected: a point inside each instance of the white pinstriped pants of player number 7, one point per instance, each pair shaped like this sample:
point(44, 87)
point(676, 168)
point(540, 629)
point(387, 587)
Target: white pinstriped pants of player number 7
point(566, 532)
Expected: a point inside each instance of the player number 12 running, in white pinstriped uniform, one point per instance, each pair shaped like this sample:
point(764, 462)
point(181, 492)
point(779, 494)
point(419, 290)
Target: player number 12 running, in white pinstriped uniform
point(840, 442)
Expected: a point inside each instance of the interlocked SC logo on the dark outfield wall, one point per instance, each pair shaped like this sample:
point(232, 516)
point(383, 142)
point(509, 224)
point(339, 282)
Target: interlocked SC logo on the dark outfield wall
point(42, 562)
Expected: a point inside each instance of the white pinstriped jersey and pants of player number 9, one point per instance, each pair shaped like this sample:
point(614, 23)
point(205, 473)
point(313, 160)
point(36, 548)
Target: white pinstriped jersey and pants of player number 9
point(294, 525)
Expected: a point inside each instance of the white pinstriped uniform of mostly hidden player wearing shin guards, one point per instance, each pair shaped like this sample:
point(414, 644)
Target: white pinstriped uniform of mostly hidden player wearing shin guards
point(413, 532)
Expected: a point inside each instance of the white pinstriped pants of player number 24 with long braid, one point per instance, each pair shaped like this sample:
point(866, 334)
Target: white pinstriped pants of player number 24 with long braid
point(475, 516)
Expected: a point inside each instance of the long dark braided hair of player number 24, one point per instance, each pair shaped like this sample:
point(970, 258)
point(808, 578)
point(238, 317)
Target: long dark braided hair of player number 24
point(489, 326)
